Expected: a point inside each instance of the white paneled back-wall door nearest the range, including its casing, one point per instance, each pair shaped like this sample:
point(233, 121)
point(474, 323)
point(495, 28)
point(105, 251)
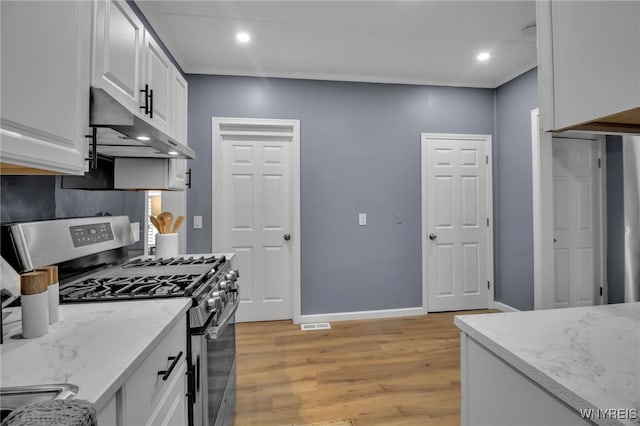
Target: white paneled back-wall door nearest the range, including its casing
point(255, 211)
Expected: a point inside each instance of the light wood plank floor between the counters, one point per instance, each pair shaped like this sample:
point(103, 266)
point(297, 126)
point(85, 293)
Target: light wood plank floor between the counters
point(403, 371)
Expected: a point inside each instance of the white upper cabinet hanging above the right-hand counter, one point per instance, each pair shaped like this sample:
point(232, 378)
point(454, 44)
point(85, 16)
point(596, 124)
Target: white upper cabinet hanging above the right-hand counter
point(589, 65)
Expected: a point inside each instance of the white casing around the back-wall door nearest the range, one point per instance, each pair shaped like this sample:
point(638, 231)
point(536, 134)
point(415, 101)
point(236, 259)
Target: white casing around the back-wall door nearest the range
point(216, 179)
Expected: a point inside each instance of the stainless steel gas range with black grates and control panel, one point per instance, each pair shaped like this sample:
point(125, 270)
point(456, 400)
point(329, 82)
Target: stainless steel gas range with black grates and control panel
point(92, 257)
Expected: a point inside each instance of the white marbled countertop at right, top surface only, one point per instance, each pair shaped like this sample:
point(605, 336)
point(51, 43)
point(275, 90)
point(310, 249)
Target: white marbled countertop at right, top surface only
point(589, 357)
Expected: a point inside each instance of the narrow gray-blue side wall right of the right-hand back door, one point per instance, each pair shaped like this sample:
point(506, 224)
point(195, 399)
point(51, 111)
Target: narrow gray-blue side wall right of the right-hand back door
point(513, 205)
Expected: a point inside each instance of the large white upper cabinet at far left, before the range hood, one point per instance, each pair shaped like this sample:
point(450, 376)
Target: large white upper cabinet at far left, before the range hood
point(45, 56)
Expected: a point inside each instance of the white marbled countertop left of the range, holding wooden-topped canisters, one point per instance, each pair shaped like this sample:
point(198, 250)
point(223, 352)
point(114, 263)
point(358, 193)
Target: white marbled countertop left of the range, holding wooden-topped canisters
point(95, 346)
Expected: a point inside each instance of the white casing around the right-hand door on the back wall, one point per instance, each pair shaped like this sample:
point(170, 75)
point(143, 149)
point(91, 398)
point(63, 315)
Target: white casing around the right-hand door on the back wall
point(489, 229)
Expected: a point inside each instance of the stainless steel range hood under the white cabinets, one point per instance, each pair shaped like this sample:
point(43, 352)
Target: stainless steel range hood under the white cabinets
point(120, 133)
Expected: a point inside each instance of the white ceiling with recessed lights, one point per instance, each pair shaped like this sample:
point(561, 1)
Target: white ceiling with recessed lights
point(415, 42)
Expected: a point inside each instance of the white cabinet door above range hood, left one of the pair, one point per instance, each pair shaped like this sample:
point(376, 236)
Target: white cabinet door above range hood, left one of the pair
point(117, 52)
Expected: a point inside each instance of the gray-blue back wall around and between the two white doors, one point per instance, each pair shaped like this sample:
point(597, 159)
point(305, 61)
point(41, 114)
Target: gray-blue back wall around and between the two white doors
point(360, 152)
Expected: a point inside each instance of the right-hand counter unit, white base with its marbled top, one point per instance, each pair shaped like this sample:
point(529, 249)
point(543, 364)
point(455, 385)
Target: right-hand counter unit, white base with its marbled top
point(547, 367)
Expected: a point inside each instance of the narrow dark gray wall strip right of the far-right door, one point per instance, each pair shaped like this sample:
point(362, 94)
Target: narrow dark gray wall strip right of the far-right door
point(615, 220)
